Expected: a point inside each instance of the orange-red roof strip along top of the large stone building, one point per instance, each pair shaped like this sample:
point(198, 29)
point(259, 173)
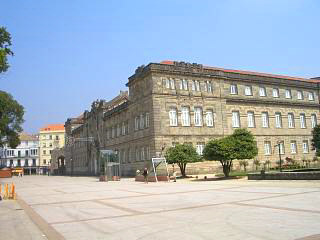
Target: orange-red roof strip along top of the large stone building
point(169, 62)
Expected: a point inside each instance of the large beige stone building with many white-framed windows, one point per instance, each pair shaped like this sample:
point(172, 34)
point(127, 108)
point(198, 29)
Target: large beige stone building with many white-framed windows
point(176, 102)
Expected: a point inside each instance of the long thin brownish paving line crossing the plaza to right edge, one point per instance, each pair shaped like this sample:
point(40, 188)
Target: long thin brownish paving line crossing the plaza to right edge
point(180, 209)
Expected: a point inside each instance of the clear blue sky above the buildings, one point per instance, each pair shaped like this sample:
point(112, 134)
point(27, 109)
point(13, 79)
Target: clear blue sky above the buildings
point(70, 53)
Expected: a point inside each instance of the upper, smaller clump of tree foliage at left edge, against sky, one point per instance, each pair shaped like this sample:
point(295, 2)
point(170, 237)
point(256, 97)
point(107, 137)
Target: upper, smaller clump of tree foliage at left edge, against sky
point(5, 43)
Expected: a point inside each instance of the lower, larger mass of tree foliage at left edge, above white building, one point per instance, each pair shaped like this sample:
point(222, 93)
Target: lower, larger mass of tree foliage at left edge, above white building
point(11, 118)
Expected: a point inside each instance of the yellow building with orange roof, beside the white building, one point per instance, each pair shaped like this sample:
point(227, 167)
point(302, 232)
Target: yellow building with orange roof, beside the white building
point(51, 136)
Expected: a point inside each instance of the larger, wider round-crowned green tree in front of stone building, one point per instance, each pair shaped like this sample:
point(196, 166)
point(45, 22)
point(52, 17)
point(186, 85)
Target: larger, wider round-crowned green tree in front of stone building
point(240, 145)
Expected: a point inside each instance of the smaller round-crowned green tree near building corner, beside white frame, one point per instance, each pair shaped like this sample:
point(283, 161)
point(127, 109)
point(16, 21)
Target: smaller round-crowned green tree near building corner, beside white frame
point(182, 154)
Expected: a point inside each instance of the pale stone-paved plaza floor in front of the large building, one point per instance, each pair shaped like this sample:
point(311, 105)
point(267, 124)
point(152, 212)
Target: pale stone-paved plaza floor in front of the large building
point(83, 208)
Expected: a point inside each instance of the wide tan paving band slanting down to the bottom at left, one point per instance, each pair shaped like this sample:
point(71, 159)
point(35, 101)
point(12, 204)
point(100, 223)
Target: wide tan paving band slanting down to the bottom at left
point(44, 227)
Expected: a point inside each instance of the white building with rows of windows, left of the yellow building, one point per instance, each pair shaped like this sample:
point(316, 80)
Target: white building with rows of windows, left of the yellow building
point(25, 155)
